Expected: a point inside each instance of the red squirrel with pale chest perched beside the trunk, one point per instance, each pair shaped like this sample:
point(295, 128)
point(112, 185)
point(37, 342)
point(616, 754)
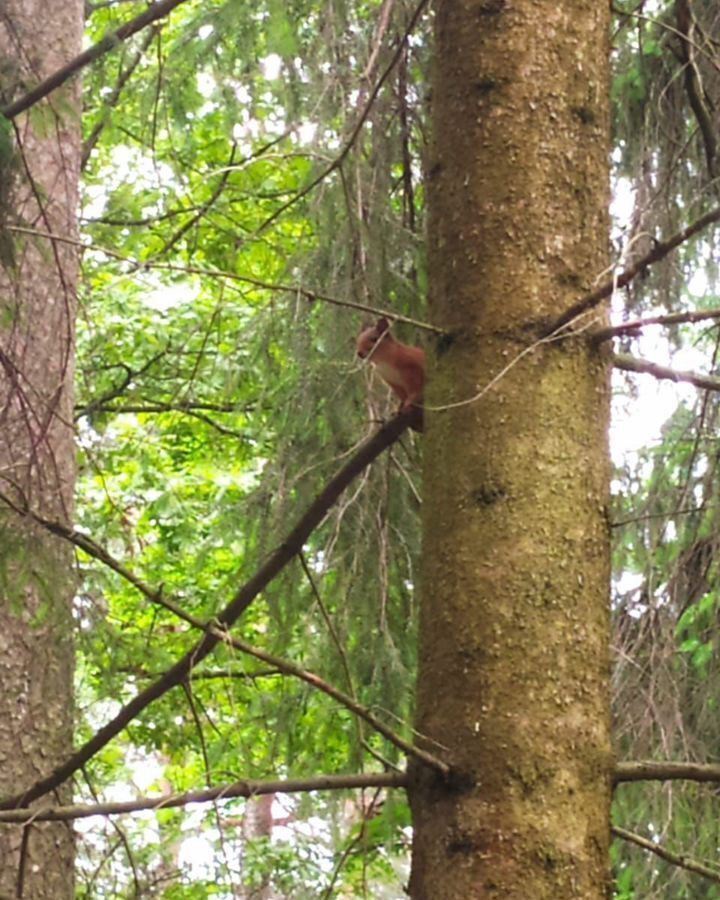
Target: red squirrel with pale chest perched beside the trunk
point(399, 365)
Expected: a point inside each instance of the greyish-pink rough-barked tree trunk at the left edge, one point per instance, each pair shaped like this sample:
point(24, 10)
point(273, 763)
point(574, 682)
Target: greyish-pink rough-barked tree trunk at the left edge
point(37, 310)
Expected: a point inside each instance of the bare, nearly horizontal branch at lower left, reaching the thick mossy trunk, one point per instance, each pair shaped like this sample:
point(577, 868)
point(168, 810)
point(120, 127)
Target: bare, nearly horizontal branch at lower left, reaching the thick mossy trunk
point(209, 795)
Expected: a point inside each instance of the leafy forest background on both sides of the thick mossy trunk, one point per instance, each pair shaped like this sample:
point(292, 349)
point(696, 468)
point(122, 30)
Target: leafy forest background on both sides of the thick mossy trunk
point(254, 188)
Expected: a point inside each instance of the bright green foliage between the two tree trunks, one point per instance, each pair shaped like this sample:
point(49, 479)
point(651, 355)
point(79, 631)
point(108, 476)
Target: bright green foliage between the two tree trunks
point(214, 400)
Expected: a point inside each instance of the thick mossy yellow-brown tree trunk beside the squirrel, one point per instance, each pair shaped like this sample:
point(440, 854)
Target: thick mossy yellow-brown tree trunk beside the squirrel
point(513, 682)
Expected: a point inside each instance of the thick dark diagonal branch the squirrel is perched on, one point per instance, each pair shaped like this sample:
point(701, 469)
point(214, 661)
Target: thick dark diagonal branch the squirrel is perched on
point(277, 561)
